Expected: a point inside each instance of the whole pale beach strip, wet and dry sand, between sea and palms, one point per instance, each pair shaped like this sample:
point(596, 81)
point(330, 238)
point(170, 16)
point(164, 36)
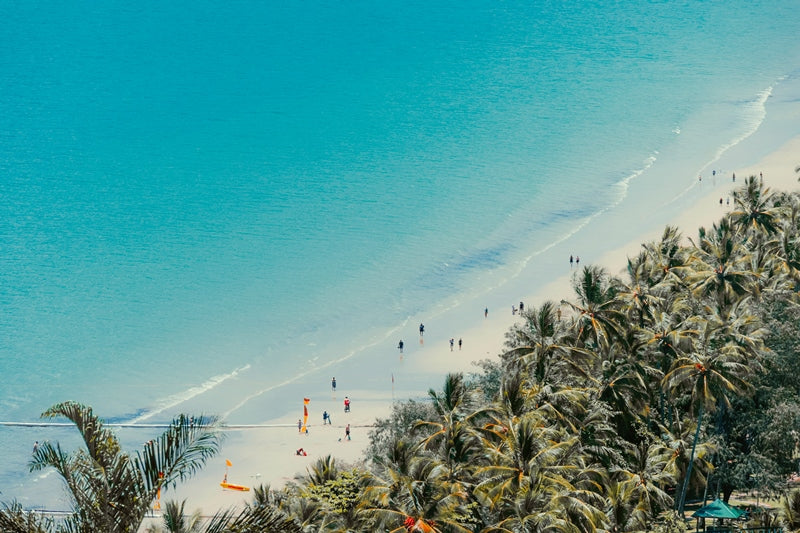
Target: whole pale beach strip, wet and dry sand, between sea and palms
point(264, 452)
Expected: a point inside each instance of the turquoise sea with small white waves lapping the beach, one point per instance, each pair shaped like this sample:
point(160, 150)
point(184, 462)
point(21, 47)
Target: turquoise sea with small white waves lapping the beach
point(202, 201)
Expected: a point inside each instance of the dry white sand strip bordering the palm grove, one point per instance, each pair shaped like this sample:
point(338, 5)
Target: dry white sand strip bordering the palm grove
point(265, 454)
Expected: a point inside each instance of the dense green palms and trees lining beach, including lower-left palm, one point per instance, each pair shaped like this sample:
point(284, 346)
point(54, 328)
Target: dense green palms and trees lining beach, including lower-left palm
point(611, 410)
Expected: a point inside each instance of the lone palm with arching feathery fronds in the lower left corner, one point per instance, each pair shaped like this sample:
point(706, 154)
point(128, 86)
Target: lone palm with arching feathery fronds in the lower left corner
point(112, 490)
